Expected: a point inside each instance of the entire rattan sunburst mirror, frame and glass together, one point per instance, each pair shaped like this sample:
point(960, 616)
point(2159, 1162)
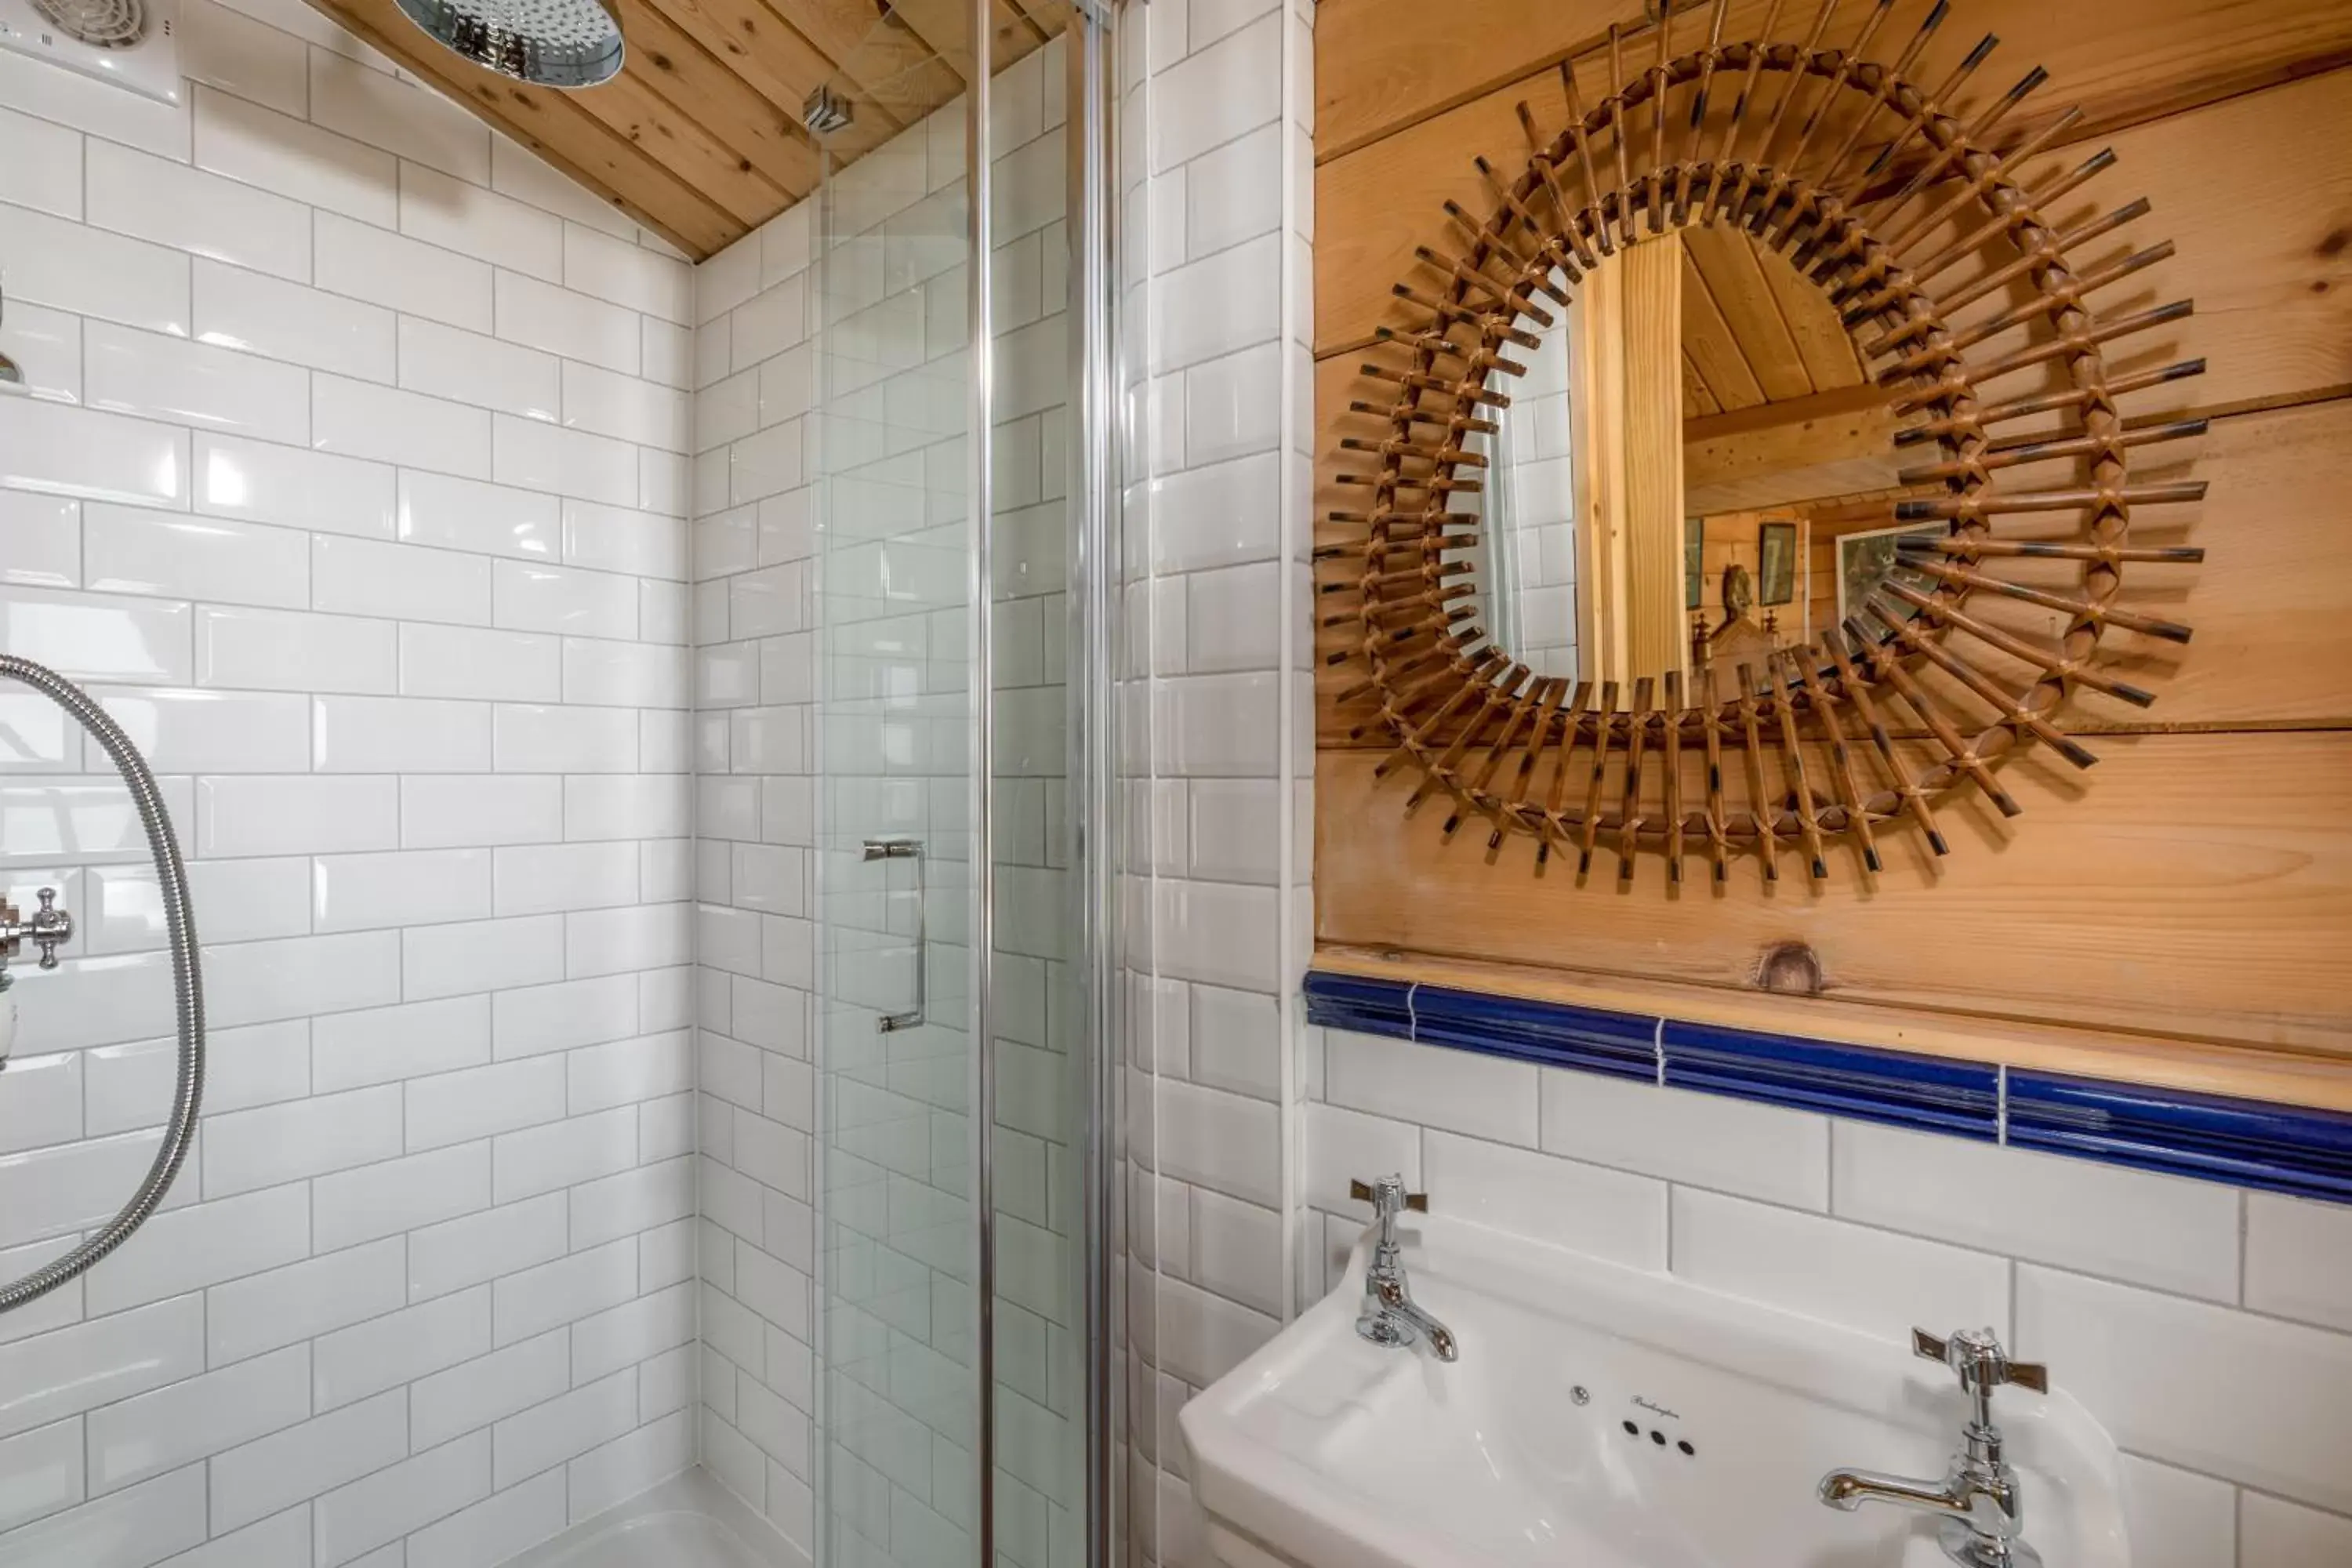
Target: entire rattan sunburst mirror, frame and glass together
point(1753, 474)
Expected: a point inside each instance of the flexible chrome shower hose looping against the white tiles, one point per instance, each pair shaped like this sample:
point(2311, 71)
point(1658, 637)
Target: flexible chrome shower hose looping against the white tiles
point(187, 984)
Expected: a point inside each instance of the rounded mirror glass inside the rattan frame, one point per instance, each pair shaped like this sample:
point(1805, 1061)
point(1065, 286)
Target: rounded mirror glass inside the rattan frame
point(1692, 471)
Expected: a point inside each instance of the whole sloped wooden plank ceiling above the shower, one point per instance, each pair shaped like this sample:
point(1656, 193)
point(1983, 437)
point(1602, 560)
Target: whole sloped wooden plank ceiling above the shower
point(700, 138)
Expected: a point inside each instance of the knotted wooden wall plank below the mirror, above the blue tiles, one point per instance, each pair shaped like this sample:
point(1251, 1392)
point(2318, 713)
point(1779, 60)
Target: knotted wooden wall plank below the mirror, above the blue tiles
point(2141, 897)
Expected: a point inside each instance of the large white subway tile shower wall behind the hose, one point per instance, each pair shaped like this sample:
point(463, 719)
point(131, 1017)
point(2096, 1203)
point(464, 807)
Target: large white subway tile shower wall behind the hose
point(316, 366)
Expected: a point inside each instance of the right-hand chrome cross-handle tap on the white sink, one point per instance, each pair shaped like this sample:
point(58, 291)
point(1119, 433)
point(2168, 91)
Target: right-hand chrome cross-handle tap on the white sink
point(1984, 1520)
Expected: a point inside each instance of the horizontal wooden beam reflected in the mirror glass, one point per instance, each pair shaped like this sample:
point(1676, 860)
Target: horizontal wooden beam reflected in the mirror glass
point(1824, 445)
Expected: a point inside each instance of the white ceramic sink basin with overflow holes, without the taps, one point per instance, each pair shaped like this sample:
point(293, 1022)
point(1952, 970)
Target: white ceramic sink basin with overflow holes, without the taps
point(1337, 1454)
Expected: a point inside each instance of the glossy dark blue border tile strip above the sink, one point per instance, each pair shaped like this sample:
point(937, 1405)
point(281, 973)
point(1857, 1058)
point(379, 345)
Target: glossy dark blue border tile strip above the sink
point(2247, 1144)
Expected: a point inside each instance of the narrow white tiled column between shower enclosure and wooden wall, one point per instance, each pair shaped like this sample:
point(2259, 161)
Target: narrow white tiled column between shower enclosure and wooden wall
point(1217, 746)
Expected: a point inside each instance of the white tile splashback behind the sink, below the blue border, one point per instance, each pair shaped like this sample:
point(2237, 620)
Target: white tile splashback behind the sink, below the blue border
point(2207, 1329)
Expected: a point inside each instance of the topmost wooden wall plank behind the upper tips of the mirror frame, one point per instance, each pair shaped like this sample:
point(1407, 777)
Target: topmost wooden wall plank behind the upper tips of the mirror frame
point(1379, 67)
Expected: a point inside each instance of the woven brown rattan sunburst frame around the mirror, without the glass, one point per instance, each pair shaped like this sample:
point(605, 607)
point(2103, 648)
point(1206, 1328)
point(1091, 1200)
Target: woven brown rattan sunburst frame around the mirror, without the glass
point(1883, 199)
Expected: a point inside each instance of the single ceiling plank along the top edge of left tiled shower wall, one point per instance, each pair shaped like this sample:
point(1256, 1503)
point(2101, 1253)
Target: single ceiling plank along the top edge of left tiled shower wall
point(554, 126)
